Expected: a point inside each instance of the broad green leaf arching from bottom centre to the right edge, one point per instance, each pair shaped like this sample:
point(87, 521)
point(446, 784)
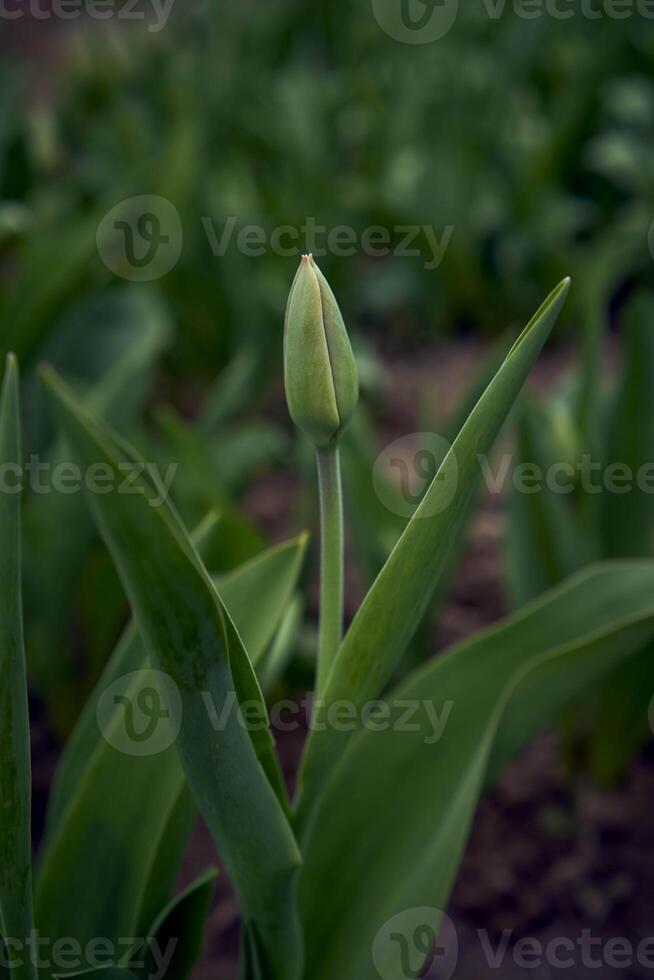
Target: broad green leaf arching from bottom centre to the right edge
point(472, 709)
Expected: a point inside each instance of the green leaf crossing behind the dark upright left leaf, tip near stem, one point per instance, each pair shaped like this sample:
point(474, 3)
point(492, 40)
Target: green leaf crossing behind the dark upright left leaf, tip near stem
point(81, 782)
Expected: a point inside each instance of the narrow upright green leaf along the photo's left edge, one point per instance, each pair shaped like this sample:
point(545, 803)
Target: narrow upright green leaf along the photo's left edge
point(16, 918)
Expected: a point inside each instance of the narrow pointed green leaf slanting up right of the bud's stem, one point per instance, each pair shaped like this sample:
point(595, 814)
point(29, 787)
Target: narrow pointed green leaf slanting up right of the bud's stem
point(396, 602)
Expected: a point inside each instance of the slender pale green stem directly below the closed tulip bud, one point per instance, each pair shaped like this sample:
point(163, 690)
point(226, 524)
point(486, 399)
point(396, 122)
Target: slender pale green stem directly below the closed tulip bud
point(331, 561)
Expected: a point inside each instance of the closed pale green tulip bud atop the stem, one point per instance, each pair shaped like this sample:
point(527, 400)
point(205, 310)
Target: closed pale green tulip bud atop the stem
point(320, 373)
